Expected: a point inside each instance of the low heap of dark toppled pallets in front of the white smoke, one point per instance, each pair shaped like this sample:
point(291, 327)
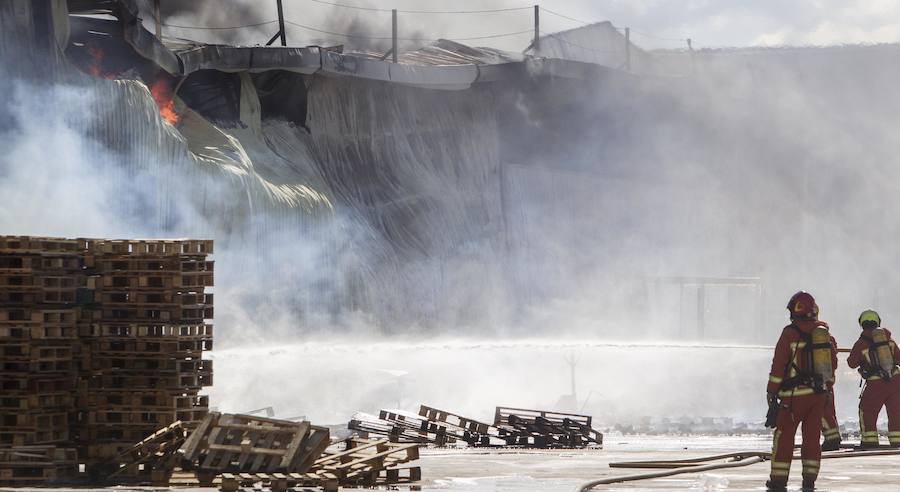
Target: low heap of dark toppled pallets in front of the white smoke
point(511, 427)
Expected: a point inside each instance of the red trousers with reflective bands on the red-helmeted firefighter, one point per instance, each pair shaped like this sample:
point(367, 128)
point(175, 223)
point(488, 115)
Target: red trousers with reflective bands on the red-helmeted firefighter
point(805, 411)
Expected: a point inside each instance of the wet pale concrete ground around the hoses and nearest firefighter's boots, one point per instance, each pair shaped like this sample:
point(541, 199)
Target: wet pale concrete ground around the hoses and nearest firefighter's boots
point(552, 471)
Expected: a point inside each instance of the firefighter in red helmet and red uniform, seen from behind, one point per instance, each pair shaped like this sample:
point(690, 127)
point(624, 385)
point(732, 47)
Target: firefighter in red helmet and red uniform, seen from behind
point(801, 377)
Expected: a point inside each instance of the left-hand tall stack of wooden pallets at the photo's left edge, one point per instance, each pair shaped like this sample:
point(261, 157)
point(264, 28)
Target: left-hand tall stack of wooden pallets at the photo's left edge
point(40, 282)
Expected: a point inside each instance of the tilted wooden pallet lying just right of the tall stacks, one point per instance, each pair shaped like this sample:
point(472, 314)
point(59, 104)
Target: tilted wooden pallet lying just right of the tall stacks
point(245, 443)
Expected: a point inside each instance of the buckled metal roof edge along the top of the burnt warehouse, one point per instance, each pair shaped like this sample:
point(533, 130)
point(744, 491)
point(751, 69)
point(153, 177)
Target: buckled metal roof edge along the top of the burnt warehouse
point(445, 64)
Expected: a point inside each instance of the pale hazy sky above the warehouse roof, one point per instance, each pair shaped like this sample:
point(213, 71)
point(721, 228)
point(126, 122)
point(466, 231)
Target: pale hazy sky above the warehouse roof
point(710, 23)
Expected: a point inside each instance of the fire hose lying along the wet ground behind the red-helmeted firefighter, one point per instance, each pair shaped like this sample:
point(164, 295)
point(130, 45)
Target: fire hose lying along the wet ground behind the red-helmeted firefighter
point(695, 465)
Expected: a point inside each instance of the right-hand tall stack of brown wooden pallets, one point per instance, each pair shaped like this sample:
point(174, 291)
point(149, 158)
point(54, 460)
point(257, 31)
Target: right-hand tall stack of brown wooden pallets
point(144, 345)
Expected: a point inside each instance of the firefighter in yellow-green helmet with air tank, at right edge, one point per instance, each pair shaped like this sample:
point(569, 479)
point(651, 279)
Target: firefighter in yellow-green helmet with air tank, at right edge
point(876, 355)
